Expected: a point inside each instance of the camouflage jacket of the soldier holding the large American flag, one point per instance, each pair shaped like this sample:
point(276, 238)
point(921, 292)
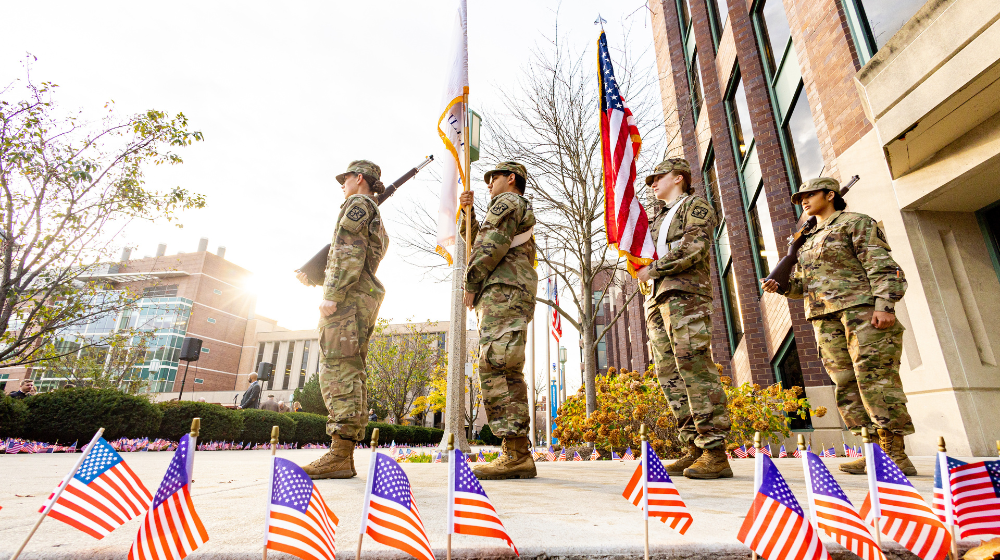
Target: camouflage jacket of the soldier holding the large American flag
point(686, 266)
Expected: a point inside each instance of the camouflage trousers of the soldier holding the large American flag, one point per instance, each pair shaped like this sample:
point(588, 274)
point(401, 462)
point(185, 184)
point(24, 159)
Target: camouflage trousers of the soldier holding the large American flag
point(680, 335)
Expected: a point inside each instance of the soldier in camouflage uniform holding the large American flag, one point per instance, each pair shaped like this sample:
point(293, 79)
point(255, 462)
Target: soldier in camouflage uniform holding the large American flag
point(679, 321)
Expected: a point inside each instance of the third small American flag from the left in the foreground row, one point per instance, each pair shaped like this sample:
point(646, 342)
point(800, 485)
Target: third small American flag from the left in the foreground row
point(298, 520)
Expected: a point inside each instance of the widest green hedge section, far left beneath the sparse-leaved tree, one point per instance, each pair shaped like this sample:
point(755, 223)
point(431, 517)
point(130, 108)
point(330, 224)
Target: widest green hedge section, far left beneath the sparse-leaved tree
point(76, 414)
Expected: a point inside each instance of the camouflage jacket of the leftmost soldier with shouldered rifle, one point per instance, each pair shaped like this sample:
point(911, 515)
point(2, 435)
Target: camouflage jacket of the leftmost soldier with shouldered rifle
point(358, 246)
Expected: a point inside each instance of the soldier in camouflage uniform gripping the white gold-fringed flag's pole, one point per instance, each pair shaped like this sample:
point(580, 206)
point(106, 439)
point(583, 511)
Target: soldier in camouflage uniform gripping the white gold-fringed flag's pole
point(500, 284)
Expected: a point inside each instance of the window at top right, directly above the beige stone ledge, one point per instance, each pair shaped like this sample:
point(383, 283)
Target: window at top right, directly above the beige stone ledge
point(874, 22)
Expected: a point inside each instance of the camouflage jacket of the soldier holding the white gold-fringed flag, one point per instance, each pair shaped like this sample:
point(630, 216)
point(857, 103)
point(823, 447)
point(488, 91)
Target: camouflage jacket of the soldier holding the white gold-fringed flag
point(493, 261)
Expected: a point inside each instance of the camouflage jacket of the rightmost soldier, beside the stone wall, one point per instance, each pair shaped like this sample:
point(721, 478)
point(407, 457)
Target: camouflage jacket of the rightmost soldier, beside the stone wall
point(844, 263)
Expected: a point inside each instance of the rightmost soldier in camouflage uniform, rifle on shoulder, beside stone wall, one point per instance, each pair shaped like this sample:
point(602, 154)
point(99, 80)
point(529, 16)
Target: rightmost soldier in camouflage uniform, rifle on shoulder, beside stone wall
point(851, 285)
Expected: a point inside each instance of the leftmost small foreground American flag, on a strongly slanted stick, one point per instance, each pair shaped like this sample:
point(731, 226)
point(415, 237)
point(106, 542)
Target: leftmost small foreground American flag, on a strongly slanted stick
point(102, 495)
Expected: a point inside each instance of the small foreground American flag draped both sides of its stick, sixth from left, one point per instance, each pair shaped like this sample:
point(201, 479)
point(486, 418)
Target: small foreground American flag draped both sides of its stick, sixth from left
point(651, 489)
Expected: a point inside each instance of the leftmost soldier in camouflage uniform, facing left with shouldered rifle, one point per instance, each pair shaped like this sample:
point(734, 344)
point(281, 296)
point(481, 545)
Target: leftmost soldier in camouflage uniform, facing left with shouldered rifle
point(352, 296)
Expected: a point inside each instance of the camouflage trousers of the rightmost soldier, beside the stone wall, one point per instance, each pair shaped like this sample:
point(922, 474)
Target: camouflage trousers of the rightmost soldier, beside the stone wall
point(864, 363)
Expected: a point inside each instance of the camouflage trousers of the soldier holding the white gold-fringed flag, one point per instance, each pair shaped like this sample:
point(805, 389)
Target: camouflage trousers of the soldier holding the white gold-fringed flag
point(504, 313)
